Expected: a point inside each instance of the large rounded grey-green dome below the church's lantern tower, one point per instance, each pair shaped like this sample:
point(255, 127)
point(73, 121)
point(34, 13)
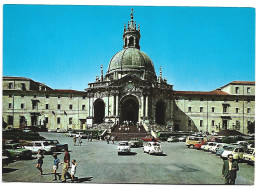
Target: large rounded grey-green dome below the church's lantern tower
point(131, 58)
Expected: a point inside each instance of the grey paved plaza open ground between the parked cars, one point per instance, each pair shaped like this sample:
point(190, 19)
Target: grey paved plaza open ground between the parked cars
point(97, 159)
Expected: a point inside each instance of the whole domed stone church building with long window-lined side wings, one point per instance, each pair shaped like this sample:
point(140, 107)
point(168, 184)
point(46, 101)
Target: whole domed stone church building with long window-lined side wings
point(129, 91)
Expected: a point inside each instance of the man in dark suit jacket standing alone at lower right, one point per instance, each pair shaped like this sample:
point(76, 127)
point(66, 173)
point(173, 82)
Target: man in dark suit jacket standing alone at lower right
point(229, 170)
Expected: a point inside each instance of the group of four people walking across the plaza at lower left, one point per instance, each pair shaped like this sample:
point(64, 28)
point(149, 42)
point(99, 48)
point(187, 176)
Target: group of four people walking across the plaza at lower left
point(56, 163)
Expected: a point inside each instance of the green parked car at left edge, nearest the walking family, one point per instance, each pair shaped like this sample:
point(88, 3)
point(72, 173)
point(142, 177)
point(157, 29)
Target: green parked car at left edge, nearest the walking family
point(16, 151)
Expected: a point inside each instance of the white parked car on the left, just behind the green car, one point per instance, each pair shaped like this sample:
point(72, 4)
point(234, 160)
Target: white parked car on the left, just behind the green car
point(34, 146)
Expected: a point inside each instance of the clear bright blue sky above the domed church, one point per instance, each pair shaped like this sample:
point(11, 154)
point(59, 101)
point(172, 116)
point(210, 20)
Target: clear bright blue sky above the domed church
point(199, 48)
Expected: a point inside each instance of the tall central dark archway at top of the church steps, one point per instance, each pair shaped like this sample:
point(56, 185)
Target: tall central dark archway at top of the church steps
point(129, 109)
